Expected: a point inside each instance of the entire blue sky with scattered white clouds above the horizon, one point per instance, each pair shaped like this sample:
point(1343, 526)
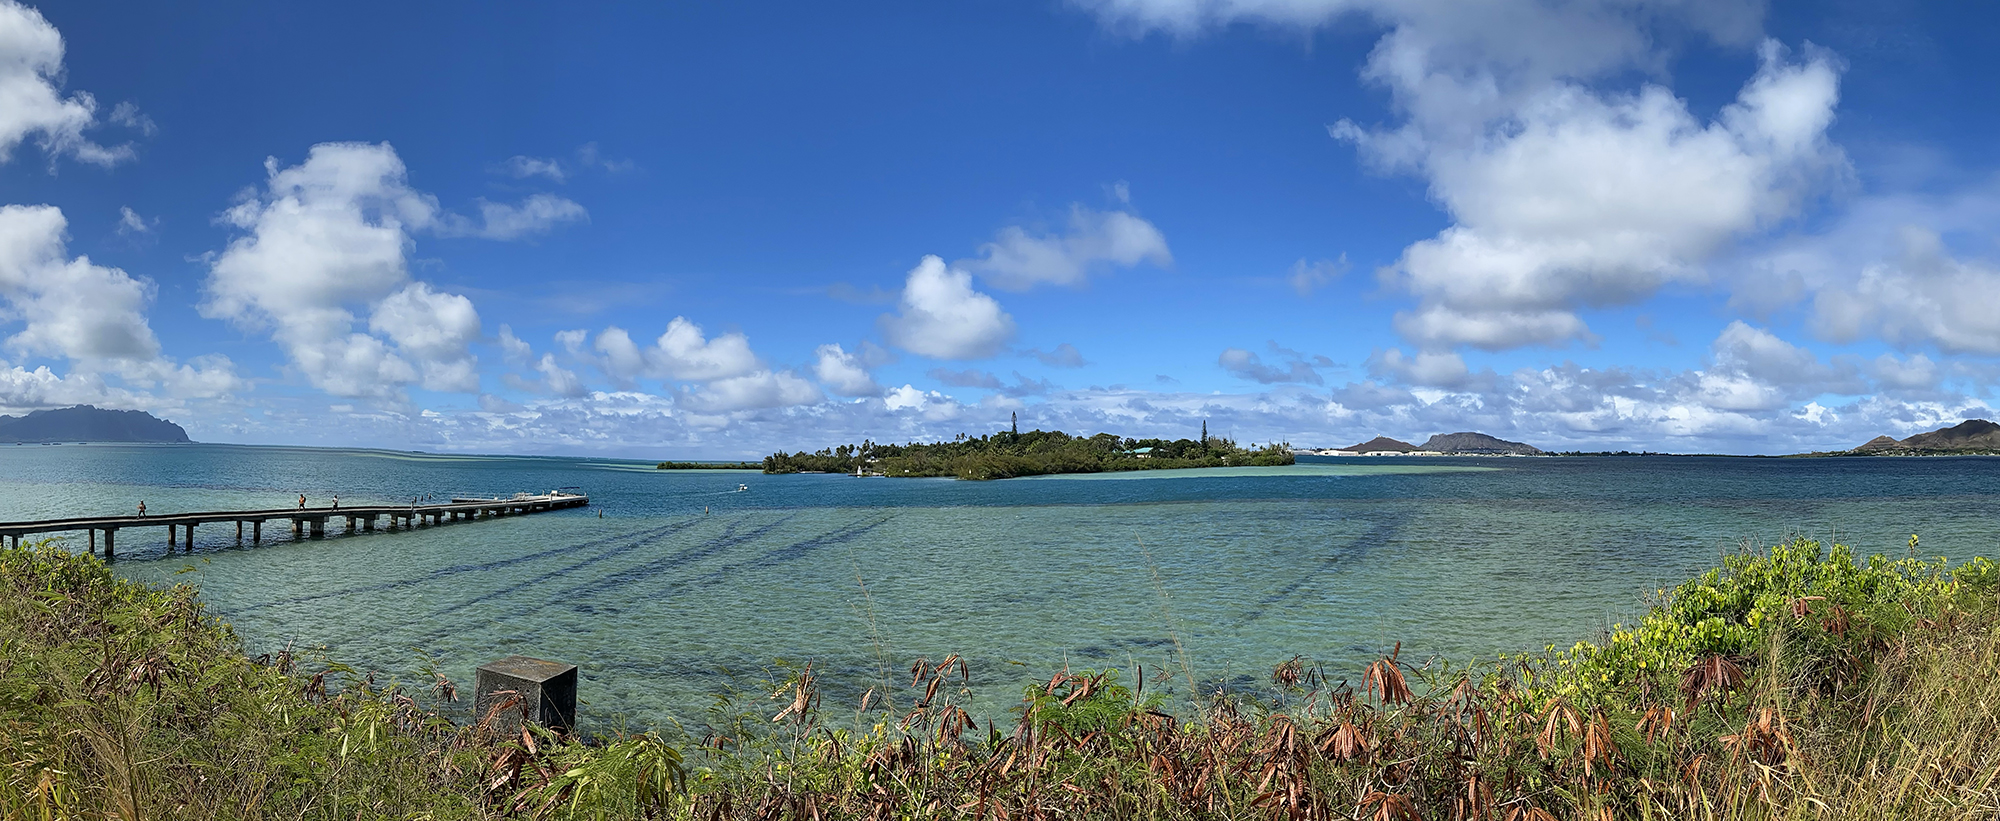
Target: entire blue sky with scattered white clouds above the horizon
point(717, 231)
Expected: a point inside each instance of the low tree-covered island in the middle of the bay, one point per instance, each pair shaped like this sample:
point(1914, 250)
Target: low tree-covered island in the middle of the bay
point(1013, 454)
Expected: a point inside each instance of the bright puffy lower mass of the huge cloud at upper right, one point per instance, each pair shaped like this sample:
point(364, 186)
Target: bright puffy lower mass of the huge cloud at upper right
point(1583, 199)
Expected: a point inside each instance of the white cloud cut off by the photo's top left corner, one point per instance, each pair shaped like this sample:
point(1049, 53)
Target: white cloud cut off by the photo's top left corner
point(31, 105)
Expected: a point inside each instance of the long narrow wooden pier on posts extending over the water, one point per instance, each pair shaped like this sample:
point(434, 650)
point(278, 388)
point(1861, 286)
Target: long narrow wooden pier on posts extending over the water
point(305, 520)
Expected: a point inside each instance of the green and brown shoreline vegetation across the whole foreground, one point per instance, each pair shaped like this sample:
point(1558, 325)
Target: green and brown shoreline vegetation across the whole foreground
point(1797, 684)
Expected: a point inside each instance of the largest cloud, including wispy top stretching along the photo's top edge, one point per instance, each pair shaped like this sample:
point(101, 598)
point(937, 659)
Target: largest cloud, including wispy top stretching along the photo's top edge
point(1563, 195)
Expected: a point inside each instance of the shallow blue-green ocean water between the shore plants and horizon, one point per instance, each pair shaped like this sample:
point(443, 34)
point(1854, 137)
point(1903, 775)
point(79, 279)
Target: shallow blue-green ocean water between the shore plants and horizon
point(675, 588)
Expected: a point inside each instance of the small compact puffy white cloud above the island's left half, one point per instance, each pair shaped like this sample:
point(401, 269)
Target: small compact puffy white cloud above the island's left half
point(943, 317)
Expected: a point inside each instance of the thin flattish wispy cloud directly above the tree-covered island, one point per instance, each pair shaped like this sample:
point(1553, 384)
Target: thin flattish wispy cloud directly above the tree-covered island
point(1019, 261)
